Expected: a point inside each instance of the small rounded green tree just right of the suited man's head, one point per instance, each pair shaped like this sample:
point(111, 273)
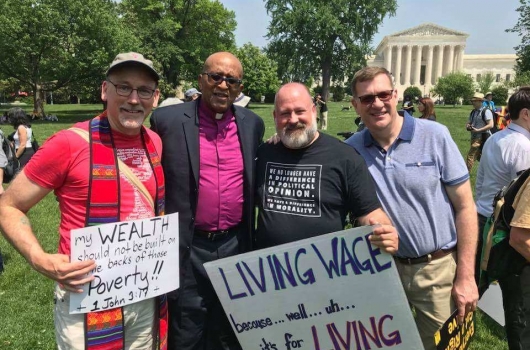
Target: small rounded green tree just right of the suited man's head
point(260, 72)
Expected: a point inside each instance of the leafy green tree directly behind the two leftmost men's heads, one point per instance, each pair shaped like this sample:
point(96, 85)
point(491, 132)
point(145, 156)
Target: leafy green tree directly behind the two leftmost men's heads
point(180, 34)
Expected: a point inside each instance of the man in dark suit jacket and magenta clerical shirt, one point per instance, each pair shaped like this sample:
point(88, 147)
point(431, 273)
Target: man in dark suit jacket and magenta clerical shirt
point(210, 147)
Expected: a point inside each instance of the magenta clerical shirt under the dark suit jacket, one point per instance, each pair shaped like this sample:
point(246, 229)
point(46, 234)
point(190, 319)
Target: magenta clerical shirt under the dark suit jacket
point(220, 202)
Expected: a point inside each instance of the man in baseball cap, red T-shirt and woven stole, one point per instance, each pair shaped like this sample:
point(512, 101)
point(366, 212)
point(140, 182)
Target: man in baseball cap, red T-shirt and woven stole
point(103, 170)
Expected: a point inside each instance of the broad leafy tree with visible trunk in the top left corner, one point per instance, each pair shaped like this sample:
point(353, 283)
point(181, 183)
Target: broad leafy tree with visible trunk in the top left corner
point(49, 44)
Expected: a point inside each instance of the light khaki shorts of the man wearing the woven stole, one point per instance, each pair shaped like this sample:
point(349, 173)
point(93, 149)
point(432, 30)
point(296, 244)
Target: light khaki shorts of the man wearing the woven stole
point(138, 324)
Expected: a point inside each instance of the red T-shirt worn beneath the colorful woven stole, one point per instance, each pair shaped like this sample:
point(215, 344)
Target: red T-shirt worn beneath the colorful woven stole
point(63, 164)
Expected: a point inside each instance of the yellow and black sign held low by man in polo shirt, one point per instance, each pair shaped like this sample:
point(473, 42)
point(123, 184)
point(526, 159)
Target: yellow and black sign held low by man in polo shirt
point(453, 336)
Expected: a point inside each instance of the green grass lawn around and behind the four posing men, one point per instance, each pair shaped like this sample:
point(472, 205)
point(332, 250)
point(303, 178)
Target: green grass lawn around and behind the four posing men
point(26, 301)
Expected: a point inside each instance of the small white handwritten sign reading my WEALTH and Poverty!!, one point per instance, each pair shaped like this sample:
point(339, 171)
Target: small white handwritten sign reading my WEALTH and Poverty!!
point(136, 260)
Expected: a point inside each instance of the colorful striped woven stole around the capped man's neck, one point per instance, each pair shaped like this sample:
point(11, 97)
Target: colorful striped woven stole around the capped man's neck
point(104, 330)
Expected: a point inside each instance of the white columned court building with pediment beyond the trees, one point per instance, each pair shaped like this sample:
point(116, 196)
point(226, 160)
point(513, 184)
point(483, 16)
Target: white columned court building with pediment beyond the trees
point(420, 55)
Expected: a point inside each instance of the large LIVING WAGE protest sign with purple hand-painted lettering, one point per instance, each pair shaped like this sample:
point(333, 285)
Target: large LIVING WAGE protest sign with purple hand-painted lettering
point(334, 291)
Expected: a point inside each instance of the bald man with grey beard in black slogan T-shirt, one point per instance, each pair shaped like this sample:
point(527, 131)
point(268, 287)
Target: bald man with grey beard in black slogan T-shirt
point(329, 177)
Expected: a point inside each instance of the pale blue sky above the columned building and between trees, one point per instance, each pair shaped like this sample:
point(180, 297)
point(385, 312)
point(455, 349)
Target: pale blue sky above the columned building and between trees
point(484, 20)
